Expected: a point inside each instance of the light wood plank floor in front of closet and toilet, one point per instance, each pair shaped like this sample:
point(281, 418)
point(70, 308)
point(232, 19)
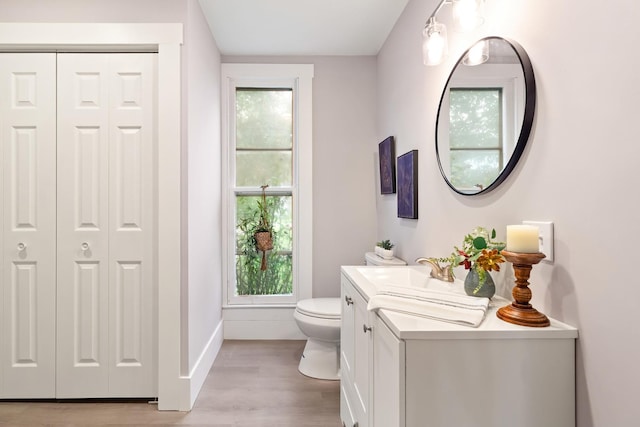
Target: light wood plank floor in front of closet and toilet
point(251, 384)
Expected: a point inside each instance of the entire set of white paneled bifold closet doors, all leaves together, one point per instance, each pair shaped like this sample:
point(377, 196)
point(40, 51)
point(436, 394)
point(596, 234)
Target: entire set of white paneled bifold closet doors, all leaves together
point(77, 294)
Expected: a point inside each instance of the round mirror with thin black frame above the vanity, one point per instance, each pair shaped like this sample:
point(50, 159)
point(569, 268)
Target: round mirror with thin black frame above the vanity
point(485, 115)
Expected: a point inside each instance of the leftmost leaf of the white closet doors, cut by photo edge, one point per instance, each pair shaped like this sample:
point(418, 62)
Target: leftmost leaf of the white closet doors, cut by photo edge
point(27, 191)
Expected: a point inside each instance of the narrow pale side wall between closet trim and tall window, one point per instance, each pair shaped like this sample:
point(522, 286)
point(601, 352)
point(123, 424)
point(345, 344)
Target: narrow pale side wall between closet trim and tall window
point(203, 325)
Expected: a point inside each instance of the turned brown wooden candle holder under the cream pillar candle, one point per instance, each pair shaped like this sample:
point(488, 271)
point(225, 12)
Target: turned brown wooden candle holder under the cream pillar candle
point(520, 311)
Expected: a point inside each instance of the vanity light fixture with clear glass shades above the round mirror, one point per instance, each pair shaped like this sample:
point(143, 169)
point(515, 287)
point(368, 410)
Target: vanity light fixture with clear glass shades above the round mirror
point(467, 15)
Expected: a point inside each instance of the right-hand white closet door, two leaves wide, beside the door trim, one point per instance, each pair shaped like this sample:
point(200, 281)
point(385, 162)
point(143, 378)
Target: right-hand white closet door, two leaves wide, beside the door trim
point(106, 334)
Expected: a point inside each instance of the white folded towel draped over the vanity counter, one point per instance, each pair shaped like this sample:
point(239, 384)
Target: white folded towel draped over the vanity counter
point(444, 306)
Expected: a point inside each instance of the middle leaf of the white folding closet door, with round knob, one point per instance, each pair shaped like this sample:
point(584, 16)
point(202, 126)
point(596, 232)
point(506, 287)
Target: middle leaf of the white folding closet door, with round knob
point(83, 226)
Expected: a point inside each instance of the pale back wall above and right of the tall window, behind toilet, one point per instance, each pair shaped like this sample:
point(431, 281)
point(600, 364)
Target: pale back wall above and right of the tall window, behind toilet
point(344, 100)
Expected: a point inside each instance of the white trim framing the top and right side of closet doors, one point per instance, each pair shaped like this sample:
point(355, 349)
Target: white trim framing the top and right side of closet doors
point(166, 40)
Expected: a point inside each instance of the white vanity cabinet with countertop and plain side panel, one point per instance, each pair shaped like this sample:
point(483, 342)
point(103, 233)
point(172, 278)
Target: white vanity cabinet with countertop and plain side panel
point(427, 373)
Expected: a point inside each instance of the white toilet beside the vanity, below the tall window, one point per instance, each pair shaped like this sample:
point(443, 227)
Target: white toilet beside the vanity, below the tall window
point(319, 320)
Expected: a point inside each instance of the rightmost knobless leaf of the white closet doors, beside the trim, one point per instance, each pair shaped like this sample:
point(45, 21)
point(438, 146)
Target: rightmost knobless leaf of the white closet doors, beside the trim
point(133, 363)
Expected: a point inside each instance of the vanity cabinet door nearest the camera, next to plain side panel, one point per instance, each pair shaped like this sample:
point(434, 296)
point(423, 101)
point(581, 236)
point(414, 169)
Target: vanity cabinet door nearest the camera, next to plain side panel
point(388, 377)
